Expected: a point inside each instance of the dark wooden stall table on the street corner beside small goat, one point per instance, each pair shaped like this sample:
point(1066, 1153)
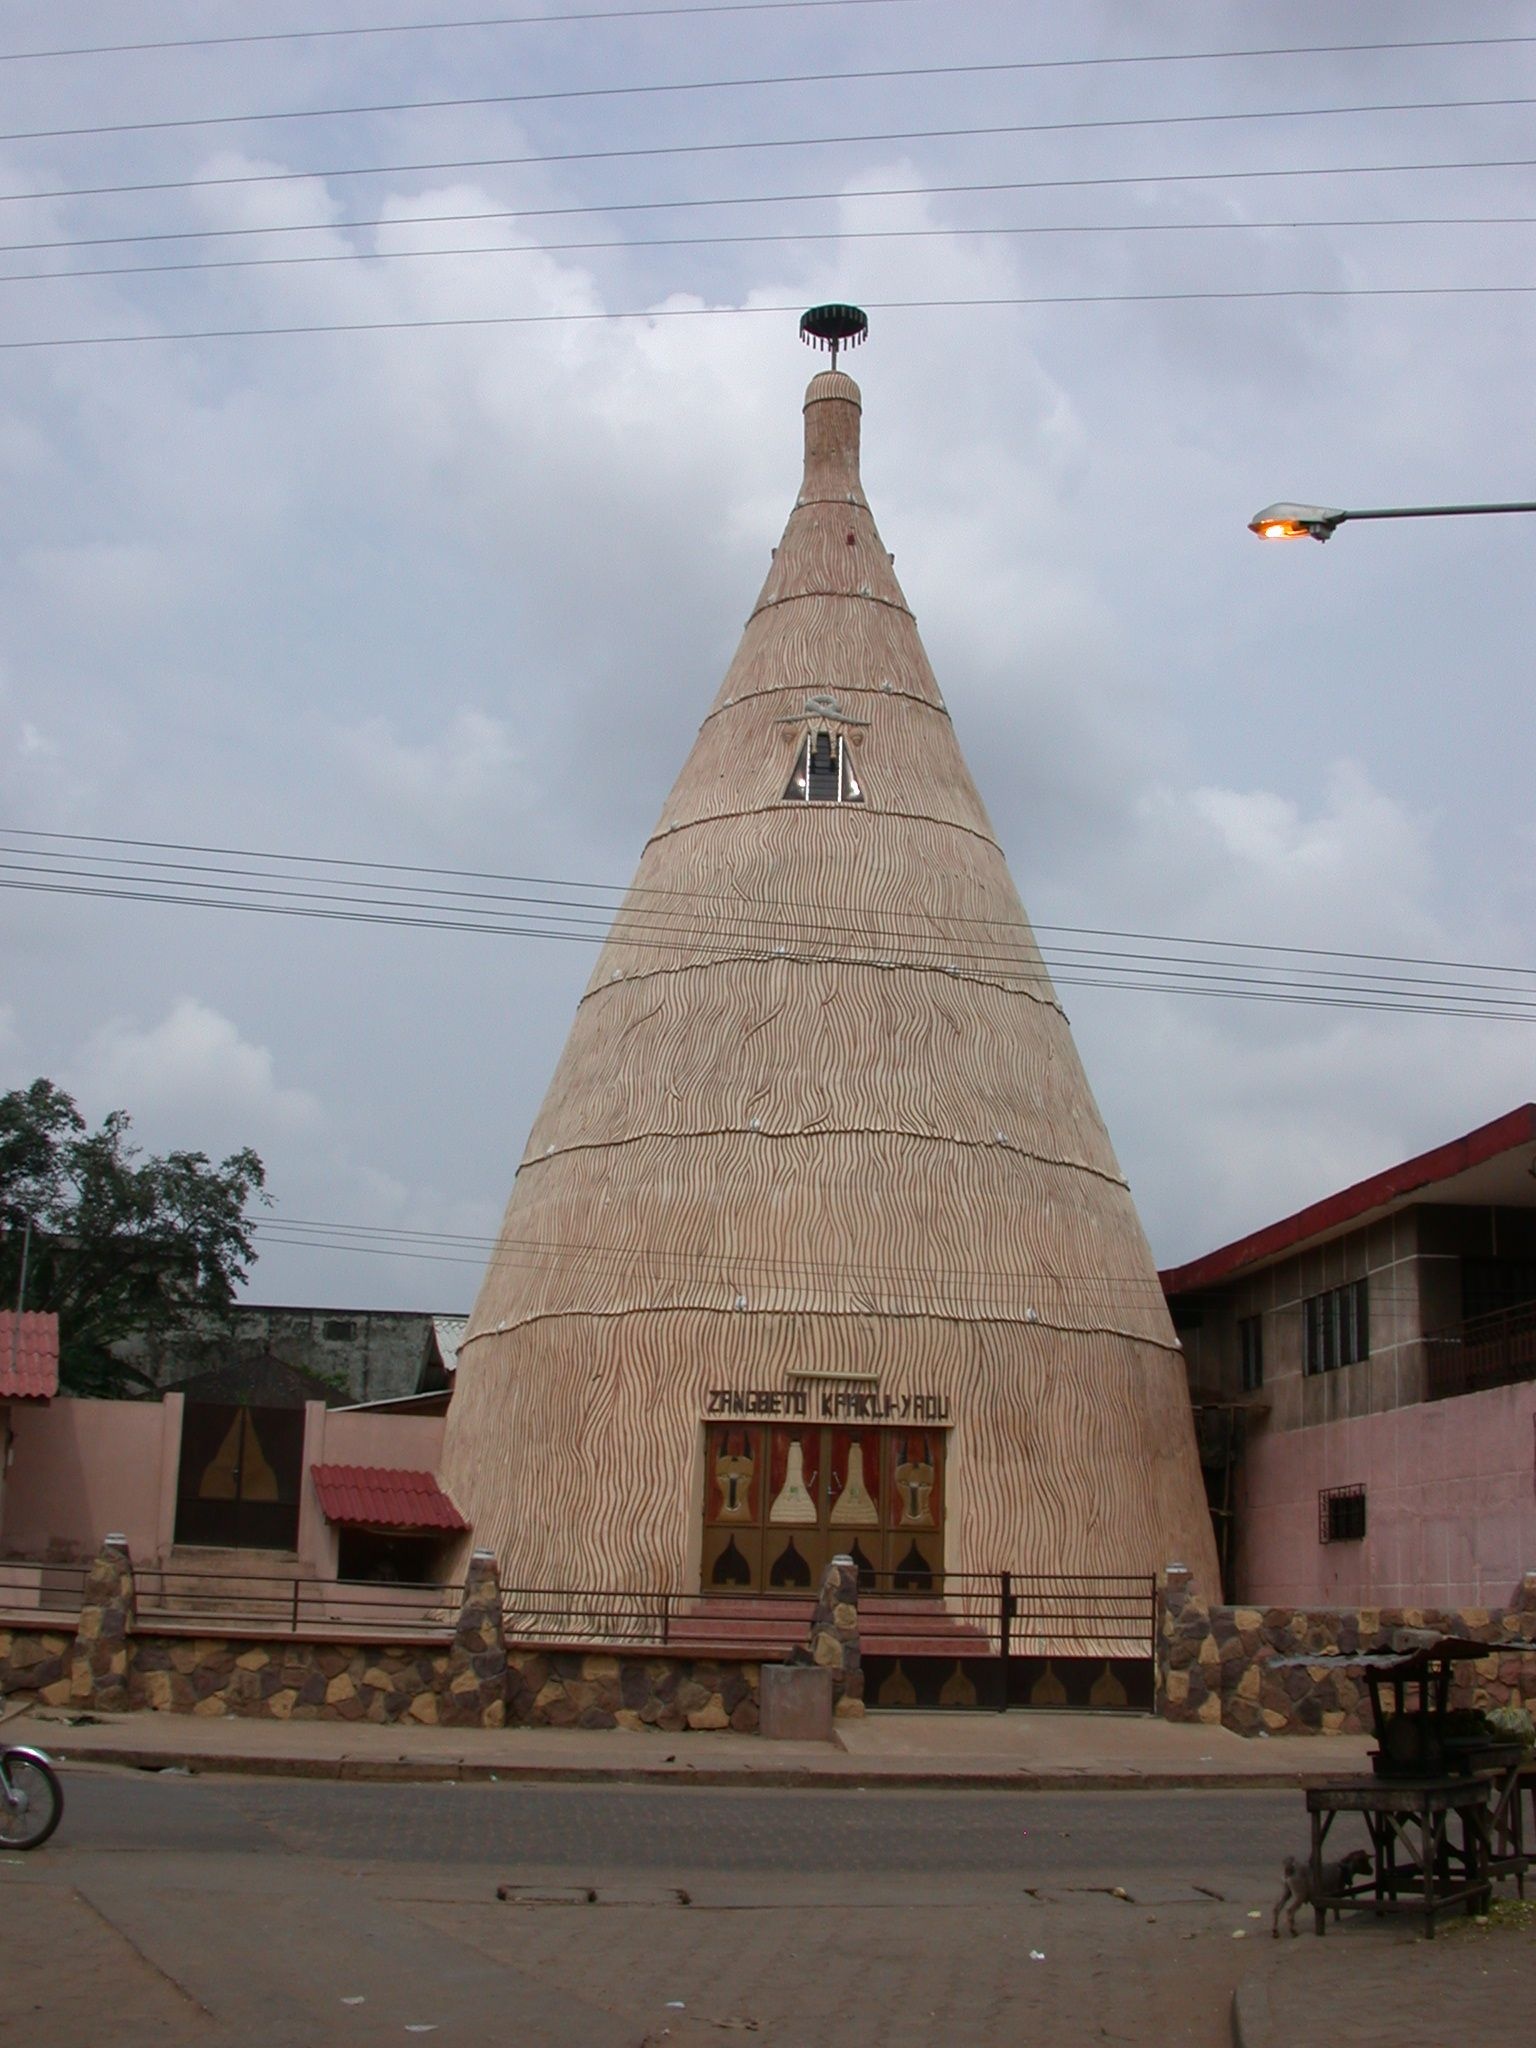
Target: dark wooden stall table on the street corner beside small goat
point(1428, 1840)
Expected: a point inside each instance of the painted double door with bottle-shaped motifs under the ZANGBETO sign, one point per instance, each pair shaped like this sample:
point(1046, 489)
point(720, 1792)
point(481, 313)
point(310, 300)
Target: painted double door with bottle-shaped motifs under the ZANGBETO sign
point(783, 1498)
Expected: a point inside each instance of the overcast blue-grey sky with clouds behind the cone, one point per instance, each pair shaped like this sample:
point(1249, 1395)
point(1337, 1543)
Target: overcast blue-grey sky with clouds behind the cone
point(458, 597)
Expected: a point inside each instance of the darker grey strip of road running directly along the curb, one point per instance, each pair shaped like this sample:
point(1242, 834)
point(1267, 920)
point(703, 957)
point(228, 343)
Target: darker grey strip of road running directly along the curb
point(585, 1830)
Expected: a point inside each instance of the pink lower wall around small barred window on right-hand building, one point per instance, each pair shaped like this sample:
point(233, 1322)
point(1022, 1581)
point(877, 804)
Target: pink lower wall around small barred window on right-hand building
point(1451, 1506)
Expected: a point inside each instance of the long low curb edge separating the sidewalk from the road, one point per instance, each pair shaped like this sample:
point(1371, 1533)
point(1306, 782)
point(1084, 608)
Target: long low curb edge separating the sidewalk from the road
point(783, 1779)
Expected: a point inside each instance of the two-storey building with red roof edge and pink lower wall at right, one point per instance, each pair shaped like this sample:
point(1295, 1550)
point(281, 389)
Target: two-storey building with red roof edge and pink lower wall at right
point(1365, 1379)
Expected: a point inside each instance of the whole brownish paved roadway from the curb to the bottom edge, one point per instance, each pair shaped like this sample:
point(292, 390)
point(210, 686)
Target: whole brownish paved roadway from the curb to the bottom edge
point(300, 1914)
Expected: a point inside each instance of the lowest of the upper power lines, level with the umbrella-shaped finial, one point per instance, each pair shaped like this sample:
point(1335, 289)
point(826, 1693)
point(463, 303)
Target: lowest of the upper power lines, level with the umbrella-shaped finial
point(722, 312)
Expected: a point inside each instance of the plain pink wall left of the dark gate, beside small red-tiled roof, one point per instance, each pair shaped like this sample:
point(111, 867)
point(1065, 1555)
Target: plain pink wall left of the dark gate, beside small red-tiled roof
point(85, 1469)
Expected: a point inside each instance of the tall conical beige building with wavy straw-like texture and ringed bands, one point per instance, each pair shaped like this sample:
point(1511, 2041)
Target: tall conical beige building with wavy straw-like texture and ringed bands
point(818, 1244)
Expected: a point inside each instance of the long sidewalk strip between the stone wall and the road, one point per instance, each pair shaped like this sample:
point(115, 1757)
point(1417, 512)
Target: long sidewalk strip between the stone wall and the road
point(998, 1752)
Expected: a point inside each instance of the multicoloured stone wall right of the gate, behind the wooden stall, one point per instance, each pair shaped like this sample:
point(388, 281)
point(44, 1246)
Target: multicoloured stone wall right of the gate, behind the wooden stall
point(1218, 1664)
